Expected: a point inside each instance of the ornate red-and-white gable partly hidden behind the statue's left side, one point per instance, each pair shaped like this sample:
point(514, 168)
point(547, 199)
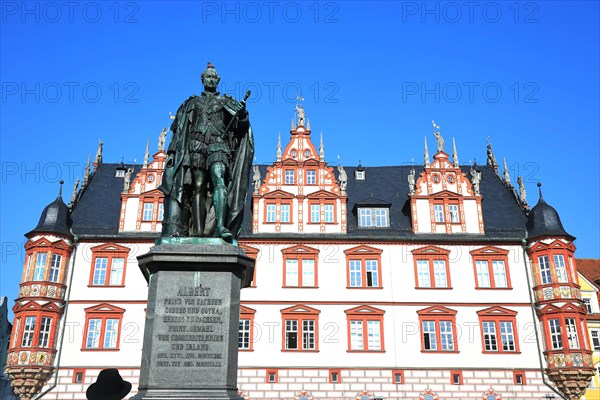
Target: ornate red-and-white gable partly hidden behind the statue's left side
point(141, 201)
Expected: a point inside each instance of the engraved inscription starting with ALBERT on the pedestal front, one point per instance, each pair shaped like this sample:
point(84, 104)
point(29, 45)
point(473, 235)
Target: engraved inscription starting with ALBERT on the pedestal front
point(193, 322)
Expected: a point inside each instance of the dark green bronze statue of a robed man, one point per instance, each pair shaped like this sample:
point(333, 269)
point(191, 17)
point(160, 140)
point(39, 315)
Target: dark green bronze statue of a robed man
point(208, 165)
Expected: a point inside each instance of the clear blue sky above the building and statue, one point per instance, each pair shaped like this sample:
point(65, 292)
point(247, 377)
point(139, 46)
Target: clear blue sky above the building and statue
point(373, 76)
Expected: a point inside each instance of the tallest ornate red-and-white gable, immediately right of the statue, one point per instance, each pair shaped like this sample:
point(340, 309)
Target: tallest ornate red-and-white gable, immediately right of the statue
point(300, 193)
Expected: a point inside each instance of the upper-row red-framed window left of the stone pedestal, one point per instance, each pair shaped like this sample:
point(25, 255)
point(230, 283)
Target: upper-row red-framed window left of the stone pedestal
point(109, 263)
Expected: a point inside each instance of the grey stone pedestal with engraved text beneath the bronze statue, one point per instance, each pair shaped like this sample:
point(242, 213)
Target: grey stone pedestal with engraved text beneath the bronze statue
point(192, 320)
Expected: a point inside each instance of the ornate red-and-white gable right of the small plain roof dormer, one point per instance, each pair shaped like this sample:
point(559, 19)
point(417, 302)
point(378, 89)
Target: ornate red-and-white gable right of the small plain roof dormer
point(443, 200)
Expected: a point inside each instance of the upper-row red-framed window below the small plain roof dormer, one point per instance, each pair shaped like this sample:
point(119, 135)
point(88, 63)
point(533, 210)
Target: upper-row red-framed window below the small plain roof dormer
point(363, 267)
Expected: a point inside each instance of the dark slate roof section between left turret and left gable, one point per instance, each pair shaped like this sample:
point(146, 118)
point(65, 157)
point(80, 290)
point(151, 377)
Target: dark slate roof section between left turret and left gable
point(99, 206)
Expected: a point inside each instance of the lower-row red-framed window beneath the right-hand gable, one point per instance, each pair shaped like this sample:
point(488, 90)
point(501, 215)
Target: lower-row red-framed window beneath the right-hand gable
point(438, 329)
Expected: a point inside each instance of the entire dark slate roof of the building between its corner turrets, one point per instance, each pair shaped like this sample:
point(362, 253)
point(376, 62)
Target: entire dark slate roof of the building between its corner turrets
point(97, 212)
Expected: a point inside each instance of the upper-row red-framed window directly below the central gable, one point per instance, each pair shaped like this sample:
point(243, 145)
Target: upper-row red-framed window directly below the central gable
point(300, 266)
